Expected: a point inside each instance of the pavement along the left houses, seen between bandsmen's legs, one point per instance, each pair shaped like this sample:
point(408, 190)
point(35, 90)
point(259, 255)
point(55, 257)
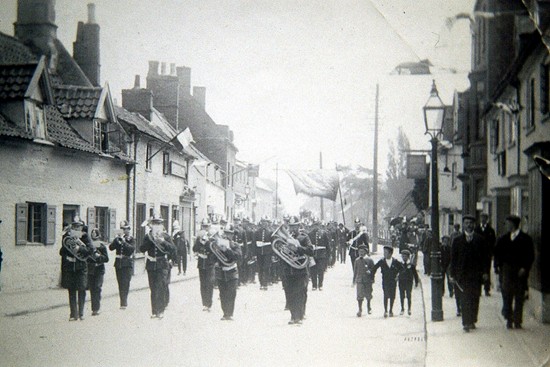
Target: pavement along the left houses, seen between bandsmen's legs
point(22, 303)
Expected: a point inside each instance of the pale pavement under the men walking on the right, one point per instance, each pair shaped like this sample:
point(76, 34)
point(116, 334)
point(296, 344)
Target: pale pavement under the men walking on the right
point(491, 344)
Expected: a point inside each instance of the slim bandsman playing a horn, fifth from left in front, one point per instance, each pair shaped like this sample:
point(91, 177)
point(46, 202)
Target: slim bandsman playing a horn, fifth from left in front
point(205, 264)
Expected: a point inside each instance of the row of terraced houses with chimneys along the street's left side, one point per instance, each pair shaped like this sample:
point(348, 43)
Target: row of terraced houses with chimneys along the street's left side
point(67, 150)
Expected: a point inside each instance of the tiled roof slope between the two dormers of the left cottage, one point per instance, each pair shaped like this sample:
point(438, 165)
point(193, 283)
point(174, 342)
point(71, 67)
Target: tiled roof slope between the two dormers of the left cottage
point(61, 133)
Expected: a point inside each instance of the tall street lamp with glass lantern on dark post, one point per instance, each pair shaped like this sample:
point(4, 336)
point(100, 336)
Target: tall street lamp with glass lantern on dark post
point(434, 114)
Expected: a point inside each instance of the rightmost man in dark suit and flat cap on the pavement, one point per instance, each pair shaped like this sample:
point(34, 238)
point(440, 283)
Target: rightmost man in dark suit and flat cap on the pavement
point(514, 255)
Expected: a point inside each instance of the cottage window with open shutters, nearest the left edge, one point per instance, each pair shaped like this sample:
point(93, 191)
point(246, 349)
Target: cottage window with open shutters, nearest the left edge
point(35, 223)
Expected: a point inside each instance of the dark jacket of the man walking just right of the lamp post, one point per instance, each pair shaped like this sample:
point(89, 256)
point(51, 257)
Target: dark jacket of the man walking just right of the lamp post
point(468, 259)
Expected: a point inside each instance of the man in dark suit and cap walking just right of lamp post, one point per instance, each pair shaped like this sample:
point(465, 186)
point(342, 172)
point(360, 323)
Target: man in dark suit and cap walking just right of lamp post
point(468, 270)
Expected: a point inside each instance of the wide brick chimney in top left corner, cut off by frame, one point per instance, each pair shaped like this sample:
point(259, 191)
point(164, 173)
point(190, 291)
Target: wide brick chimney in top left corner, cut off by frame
point(35, 27)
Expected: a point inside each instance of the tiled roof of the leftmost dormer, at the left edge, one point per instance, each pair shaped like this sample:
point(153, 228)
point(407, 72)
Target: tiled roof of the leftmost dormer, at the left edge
point(14, 80)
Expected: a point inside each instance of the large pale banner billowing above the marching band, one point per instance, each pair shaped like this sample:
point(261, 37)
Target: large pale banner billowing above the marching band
point(320, 182)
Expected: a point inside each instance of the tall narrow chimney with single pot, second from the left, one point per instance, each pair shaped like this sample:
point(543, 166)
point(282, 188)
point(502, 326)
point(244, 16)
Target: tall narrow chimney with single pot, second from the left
point(86, 47)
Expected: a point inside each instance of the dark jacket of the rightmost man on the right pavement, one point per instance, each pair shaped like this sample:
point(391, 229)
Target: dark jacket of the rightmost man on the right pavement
point(511, 256)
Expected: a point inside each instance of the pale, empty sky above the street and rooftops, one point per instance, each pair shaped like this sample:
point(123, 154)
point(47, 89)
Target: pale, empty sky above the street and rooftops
point(292, 78)
